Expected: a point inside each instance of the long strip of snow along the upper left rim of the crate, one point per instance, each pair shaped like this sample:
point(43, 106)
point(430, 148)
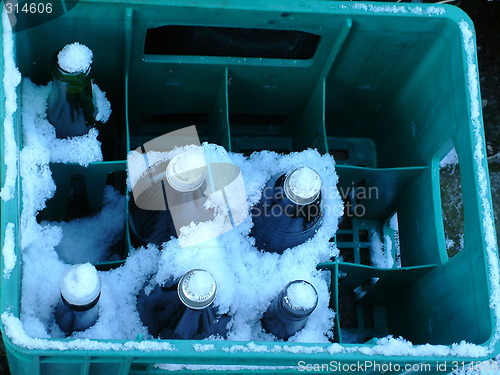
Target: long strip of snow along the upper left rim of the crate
point(11, 78)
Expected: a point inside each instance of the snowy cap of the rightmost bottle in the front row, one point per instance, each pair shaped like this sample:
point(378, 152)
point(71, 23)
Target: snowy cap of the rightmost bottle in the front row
point(300, 297)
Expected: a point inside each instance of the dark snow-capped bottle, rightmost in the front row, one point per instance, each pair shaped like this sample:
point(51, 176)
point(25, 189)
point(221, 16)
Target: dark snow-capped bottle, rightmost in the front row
point(289, 311)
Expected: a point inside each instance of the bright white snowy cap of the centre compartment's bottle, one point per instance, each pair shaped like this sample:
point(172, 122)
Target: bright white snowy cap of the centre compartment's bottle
point(187, 171)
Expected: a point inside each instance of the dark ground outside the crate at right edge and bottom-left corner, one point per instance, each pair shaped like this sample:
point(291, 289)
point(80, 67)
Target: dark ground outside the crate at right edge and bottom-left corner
point(485, 15)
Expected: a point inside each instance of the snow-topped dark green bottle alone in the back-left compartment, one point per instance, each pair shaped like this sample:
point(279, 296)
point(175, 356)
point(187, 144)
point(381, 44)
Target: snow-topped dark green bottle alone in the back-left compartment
point(70, 105)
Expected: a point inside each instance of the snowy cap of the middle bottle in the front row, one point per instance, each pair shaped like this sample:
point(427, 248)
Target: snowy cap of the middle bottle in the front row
point(197, 289)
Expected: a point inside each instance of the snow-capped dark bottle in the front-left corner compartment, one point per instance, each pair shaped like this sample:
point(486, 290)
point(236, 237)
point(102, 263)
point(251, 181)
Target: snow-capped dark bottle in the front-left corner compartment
point(78, 308)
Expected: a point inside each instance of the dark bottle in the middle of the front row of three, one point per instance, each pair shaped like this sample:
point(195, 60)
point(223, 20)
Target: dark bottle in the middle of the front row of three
point(182, 309)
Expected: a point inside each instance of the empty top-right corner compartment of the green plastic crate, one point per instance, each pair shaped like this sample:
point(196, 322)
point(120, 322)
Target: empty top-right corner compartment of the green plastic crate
point(372, 91)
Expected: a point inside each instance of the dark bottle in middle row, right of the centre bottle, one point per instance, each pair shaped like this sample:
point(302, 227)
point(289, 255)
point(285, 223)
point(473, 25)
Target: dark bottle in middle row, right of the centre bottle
point(288, 212)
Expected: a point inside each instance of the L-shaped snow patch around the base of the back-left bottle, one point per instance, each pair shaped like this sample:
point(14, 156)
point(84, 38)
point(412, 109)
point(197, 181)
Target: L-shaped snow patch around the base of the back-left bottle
point(39, 134)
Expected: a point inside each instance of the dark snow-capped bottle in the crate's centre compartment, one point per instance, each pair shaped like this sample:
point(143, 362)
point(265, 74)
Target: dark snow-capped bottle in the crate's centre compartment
point(175, 198)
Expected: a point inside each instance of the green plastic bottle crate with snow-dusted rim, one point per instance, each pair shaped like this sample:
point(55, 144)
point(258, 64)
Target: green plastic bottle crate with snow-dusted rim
point(388, 89)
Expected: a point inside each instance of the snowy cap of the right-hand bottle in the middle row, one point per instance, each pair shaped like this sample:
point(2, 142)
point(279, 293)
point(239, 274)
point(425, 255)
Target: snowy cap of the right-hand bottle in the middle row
point(302, 186)
